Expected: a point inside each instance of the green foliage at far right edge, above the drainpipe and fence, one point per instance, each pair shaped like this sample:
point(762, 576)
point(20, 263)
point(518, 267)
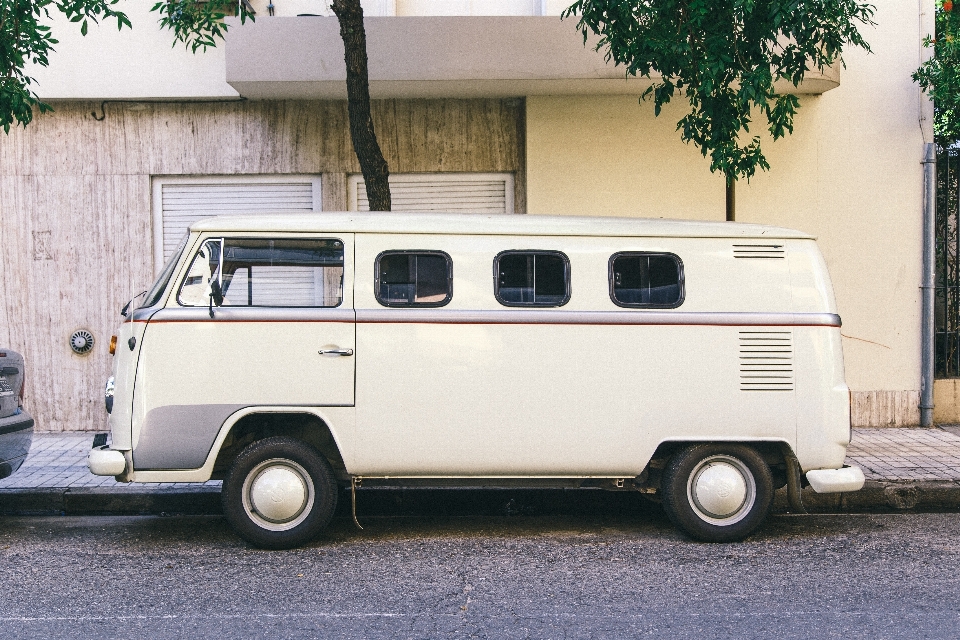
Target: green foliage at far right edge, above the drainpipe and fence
point(940, 75)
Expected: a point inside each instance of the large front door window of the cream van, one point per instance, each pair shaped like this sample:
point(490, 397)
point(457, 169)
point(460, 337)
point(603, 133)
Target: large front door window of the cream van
point(303, 272)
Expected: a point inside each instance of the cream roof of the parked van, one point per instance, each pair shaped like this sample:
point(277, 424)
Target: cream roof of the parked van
point(484, 224)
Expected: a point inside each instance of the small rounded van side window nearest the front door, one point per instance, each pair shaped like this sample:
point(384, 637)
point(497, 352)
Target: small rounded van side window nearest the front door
point(414, 278)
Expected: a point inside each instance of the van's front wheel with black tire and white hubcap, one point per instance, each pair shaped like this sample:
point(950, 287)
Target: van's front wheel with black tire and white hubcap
point(295, 486)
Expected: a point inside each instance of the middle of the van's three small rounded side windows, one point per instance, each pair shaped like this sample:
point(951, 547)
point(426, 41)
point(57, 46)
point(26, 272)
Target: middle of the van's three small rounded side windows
point(532, 278)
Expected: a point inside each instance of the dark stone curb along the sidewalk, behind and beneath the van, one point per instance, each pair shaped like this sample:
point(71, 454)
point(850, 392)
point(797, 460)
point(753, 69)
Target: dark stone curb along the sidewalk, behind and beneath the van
point(875, 497)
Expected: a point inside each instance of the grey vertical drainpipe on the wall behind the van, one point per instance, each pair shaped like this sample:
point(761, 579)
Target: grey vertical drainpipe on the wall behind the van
point(927, 288)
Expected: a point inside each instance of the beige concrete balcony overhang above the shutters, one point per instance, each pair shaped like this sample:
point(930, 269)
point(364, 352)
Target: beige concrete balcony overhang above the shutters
point(435, 57)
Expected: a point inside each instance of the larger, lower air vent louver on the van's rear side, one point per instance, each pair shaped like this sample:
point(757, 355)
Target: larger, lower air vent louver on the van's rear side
point(766, 361)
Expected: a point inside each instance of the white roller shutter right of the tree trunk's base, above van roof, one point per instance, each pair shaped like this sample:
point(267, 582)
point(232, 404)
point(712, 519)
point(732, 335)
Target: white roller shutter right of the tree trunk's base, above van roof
point(448, 192)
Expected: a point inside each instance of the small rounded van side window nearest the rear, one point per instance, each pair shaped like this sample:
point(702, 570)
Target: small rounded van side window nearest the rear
point(646, 280)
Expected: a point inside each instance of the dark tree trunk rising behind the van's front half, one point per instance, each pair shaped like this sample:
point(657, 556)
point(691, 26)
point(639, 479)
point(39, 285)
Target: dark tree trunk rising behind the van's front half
point(372, 164)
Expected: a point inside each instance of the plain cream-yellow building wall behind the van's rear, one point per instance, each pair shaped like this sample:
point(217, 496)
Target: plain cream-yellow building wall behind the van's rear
point(850, 174)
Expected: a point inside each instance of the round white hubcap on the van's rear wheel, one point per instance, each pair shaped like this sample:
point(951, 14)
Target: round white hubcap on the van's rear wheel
point(722, 490)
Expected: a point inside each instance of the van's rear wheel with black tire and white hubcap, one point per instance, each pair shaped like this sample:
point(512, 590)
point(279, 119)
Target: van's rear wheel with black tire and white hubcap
point(717, 492)
